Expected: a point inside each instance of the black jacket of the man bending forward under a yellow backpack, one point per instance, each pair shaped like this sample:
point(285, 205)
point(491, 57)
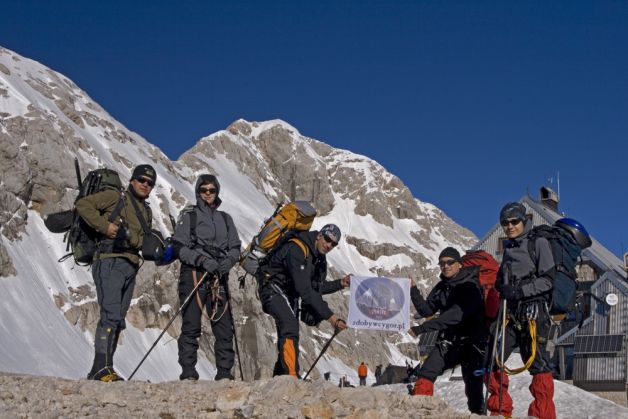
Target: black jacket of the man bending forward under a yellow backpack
point(301, 276)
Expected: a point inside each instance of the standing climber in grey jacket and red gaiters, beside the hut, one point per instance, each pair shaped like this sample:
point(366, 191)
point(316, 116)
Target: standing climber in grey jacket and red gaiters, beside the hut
point(525, 282)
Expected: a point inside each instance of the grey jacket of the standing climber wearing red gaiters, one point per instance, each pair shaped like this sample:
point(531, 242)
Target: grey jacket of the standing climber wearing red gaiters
point(532, 277)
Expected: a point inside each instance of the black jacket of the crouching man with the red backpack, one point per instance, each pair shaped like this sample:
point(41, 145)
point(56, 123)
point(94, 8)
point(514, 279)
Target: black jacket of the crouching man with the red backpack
point(460, 303)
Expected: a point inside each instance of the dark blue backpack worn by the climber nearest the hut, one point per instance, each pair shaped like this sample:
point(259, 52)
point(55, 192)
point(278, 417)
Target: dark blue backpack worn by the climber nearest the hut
point(567, 238)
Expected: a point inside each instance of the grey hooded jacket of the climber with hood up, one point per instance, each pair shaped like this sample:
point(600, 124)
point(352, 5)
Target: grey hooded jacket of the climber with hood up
point(213, 229)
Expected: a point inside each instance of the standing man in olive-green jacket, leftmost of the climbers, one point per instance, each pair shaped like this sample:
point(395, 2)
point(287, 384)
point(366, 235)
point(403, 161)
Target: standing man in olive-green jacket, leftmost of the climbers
point(117, 260)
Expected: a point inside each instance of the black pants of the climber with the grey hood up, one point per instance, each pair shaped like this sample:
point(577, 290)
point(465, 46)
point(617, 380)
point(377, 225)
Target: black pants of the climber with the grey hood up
point(222, 325)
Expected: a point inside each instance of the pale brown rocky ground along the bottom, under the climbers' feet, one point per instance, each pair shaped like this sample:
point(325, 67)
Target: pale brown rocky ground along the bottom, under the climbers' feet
point(23, 396)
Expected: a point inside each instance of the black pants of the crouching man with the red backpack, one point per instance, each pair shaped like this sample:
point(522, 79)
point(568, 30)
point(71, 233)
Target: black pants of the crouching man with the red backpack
point(470, 356)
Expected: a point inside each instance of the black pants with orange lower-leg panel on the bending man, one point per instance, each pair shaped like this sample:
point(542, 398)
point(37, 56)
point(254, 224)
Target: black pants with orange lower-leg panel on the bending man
point(284, 311)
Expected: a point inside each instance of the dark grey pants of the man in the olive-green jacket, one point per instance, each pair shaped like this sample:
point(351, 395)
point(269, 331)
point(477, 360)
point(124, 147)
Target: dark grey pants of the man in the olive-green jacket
point(115, 280)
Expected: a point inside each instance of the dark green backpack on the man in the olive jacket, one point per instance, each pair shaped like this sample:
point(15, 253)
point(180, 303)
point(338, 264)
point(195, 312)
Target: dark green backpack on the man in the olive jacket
point(80, 237)
